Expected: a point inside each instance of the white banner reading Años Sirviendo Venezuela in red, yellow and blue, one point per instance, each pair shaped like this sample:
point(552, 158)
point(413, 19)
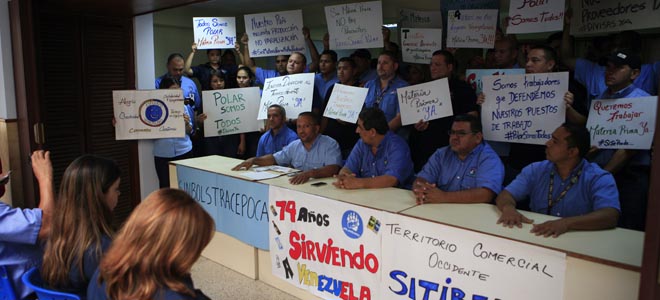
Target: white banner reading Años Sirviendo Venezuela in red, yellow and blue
point(330, 248)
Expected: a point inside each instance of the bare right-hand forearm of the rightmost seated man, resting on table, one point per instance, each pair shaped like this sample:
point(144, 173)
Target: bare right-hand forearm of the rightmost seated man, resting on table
point(603, 218)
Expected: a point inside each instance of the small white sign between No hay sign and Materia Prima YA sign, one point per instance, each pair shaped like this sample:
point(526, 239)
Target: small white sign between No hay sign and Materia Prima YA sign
point(418, 44)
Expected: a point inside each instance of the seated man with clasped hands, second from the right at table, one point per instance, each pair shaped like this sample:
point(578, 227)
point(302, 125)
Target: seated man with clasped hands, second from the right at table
point(467, 171)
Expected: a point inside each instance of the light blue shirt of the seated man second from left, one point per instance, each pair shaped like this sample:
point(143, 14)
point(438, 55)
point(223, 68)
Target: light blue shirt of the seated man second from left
point(324, 152)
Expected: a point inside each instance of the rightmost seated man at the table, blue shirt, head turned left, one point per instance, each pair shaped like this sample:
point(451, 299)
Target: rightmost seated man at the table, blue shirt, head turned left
point(564, 185)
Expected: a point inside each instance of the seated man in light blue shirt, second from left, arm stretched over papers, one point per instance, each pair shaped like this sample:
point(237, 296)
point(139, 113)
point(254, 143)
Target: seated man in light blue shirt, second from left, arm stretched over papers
point(316, 155)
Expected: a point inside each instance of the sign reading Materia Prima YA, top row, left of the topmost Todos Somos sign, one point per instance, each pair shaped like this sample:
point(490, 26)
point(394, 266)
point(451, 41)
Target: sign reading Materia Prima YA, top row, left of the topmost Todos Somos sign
point(471, 28)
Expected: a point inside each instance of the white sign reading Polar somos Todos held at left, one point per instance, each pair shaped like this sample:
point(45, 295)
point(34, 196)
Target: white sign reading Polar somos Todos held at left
point(231, 111)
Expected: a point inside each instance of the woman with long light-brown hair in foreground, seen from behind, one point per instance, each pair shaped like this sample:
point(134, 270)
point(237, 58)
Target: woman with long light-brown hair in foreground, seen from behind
point(153, 253)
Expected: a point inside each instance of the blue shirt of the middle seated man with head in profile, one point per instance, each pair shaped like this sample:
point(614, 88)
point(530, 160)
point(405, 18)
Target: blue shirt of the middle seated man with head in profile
point(392, 158)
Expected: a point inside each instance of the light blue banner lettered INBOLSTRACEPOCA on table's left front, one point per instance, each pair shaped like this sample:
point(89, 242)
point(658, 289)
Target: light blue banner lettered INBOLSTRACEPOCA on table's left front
point(239, 207)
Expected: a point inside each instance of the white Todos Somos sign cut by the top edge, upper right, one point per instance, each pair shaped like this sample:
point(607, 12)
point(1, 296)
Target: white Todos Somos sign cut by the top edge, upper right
point(530, 16)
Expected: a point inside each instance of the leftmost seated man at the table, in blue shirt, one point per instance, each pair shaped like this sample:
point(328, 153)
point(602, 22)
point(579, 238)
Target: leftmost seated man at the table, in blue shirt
point(278, 135)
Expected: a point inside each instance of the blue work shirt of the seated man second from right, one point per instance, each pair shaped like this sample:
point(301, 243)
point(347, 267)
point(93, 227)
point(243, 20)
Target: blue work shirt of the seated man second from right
point(482, 168)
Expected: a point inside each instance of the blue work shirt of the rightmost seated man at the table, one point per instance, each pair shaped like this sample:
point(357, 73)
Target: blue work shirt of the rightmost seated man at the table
point(594, 190)
